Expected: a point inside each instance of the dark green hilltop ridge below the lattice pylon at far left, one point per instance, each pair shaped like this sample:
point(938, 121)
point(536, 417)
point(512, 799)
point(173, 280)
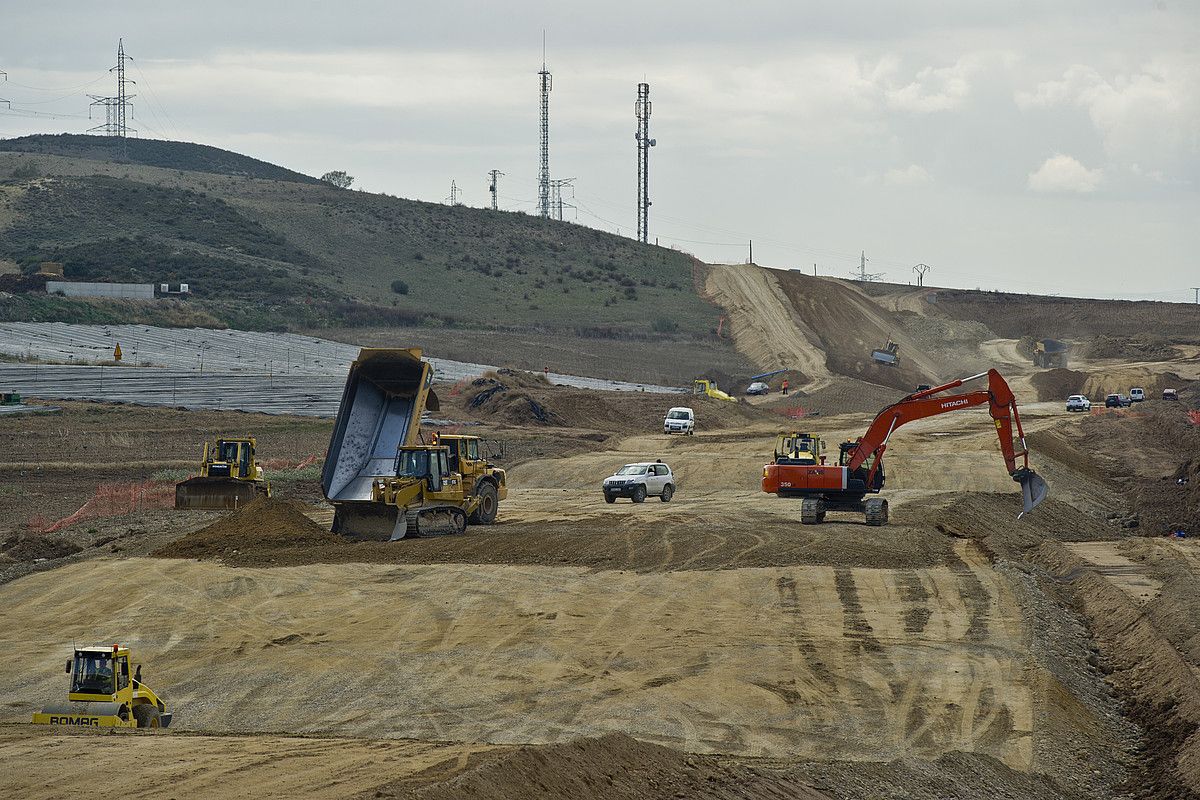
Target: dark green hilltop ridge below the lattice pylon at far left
point(154, 153)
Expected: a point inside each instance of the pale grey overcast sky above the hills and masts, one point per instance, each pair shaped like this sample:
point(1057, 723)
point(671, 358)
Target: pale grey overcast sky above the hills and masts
point(1049, 148)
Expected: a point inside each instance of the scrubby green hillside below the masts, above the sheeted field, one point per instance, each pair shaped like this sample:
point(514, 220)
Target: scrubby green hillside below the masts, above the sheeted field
point(281, 254)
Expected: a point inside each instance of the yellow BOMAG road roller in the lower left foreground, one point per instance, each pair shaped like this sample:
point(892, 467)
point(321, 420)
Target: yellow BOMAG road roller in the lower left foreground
point(105, 696)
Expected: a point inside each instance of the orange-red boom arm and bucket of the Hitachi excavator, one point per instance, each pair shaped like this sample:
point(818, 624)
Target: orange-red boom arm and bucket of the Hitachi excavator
point(1001, 405)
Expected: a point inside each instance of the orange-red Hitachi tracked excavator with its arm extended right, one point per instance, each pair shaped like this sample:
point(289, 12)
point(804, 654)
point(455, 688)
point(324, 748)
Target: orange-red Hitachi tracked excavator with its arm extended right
point(859, 473)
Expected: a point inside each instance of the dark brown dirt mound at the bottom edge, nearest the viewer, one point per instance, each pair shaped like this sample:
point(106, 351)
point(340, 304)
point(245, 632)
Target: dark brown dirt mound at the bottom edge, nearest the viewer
point(614, 767)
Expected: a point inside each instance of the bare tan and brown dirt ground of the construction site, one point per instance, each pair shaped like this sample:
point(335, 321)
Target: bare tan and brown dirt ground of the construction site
point(710, 647)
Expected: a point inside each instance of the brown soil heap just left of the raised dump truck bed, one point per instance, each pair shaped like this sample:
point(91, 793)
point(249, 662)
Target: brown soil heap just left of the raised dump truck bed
point(262, 527)
